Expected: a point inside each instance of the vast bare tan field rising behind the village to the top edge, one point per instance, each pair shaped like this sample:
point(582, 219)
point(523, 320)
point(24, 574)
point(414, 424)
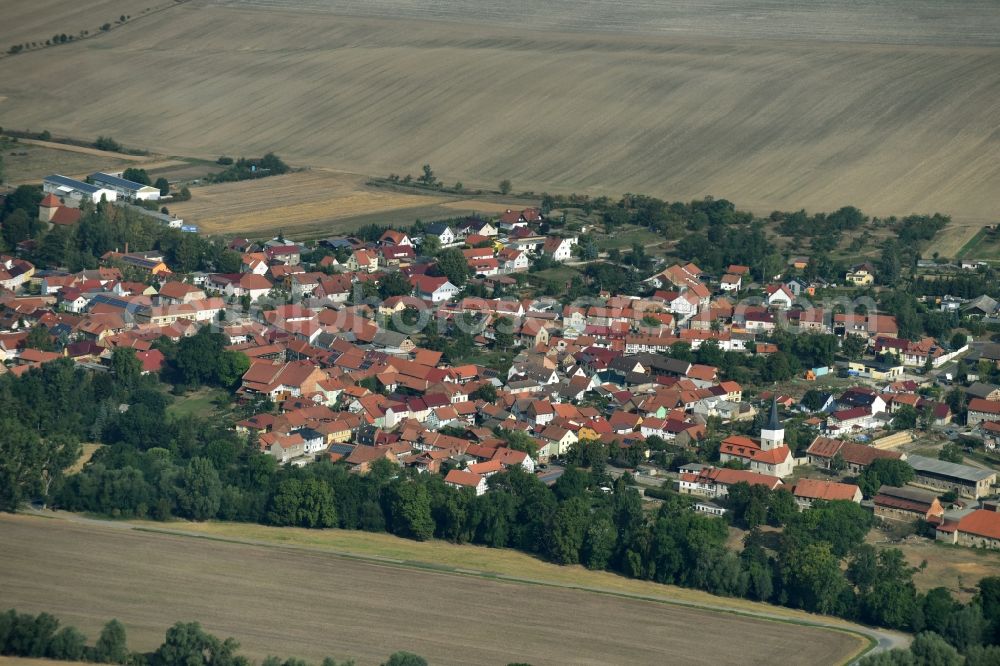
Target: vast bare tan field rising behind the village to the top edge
point(890, 106)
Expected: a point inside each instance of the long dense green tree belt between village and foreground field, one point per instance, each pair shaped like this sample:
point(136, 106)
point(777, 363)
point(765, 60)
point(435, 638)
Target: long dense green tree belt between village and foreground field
point(156, 466)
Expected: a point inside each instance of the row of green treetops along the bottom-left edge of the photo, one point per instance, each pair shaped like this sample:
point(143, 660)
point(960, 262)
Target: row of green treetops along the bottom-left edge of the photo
point(185, 644)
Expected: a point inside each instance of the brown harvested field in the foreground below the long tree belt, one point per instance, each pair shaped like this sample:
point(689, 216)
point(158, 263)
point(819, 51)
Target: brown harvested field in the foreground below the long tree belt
point(280, 600)
